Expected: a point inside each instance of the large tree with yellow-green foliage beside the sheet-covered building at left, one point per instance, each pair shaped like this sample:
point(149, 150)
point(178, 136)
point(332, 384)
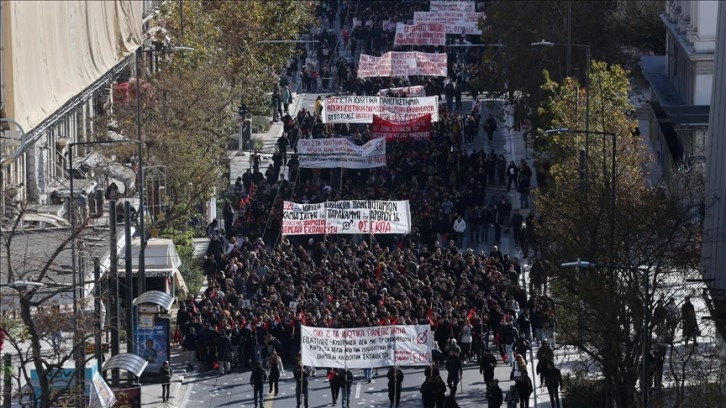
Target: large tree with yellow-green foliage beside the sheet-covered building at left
point(189, 108)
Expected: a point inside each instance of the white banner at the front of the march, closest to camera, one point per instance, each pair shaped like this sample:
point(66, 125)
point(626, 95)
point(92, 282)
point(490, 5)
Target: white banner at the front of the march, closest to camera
point(366, 347)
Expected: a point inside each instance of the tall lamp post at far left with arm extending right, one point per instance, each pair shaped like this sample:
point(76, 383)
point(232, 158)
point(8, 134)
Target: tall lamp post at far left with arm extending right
point(71, 218)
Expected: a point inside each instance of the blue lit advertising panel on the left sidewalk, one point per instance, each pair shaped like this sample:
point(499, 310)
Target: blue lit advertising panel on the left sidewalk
point(153, 344)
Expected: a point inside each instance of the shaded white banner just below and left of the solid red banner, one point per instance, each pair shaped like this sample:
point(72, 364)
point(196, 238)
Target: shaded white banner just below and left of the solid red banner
point(341, 153)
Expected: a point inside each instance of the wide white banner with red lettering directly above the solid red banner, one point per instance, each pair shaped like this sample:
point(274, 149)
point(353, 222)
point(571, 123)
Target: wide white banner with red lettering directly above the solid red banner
point(360, 109)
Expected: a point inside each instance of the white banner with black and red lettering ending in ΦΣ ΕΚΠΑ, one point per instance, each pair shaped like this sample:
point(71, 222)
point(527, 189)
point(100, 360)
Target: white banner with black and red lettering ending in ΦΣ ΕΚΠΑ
point(346, 217)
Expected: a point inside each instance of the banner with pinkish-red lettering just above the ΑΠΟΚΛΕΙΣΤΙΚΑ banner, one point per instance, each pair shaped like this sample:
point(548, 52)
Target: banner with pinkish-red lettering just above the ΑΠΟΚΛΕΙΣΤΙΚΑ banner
point(398, 64)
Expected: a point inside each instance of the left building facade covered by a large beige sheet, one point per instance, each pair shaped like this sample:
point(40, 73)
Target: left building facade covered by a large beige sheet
point(59, 61)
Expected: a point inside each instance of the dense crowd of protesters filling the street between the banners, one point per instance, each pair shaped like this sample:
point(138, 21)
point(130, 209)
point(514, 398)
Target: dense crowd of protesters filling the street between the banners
point(263, 286)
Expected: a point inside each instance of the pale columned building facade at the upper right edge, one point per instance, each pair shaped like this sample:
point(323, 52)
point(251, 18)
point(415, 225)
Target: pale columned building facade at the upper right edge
point(681, 82)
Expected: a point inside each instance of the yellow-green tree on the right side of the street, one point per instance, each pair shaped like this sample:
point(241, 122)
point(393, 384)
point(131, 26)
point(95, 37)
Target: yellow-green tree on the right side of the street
point(603, 309)
